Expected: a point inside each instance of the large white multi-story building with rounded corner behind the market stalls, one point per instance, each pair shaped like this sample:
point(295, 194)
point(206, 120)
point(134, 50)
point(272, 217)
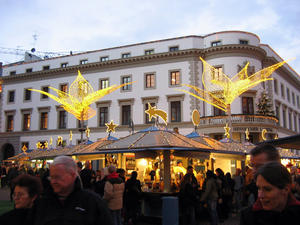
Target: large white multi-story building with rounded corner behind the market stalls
point(158, 68)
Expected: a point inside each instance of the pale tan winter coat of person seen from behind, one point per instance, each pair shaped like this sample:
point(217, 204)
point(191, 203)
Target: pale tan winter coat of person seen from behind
point(113, 191)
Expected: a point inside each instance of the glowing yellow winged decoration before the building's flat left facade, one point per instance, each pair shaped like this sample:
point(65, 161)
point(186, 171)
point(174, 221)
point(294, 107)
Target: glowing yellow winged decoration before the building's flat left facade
point(80, 96)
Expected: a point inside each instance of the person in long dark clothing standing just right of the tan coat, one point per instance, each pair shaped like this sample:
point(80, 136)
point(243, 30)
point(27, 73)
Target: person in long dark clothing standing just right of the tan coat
point(132, 197)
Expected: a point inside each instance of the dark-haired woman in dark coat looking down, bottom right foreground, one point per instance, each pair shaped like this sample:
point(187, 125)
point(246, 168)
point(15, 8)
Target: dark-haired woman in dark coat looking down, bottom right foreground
point(275, 204)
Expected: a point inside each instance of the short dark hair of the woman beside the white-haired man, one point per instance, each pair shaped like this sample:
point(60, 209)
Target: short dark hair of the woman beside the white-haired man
point(33, 184)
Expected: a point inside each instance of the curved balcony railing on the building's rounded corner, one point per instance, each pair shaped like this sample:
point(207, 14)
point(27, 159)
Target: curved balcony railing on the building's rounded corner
point(239, 118)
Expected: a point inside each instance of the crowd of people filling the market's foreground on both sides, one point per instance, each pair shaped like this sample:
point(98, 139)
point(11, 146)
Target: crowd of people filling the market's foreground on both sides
point(70, 193)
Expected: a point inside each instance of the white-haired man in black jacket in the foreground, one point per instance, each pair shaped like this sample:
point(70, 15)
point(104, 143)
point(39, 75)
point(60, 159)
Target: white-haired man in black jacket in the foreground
point(69, 203)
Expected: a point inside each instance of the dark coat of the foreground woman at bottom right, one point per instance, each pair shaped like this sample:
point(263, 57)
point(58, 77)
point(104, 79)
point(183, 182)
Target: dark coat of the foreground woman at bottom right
point(256, 215)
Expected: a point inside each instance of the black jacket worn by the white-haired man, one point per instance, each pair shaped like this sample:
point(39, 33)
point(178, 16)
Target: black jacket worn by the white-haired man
point(81, 207)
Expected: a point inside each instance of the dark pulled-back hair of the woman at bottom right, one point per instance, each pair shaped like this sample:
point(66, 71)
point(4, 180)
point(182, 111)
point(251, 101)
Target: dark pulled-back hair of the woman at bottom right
point(275, 173)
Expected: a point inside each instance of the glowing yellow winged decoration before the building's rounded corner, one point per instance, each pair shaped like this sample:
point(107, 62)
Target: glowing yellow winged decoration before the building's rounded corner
point(220, 90)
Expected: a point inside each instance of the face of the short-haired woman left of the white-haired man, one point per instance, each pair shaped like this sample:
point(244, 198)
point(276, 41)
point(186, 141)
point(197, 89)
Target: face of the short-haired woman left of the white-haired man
point(22, 198)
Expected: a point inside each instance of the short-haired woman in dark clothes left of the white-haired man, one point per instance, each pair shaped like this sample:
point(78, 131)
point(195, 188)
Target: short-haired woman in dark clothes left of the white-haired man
point(27, 189)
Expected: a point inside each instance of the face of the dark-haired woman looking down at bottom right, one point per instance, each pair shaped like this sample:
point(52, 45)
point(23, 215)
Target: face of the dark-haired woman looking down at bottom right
point(270, 196)
